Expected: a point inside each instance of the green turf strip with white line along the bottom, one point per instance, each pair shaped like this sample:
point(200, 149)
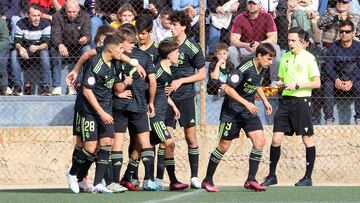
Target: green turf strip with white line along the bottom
point(227, 194)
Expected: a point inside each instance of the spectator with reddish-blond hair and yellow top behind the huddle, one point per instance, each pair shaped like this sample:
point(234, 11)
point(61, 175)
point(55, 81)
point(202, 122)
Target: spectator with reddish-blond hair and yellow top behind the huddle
point(125, 14)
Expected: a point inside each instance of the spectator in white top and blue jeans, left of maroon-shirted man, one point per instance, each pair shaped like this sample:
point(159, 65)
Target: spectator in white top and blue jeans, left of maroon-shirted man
point(221, 14)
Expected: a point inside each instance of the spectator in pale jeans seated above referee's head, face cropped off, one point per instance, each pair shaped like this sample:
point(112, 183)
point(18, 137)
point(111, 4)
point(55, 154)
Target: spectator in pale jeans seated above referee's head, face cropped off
point(299, 16)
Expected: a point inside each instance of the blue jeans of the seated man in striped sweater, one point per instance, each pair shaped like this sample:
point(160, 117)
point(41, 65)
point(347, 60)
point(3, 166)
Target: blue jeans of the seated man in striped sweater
point(42, 56)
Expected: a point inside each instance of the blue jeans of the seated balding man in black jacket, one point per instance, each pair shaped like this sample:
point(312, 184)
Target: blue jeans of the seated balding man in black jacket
point(57, 61)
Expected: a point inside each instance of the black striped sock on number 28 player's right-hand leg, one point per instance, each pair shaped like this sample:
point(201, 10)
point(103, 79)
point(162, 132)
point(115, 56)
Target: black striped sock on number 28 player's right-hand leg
point(102, 162)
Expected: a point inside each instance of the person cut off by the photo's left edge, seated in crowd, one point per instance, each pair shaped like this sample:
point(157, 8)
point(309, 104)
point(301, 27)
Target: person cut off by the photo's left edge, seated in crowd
point(4, 54)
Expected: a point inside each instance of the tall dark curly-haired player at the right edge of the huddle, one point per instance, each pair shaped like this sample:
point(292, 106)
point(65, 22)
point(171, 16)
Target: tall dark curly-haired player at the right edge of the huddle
point(189, 69)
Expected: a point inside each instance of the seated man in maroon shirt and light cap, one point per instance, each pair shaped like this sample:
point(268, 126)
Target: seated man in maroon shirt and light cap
point(249, 29)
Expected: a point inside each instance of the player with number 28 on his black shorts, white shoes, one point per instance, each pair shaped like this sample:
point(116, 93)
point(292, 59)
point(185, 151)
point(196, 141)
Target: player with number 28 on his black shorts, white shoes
point(96, 112)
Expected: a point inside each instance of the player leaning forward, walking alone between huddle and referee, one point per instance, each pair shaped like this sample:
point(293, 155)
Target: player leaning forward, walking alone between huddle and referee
point(239, 112)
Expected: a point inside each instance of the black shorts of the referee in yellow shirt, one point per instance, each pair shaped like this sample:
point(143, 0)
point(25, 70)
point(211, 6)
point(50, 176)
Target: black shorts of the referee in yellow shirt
point(294, 115)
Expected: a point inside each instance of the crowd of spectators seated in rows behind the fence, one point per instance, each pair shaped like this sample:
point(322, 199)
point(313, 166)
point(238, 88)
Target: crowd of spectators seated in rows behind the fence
point(40, 43)
